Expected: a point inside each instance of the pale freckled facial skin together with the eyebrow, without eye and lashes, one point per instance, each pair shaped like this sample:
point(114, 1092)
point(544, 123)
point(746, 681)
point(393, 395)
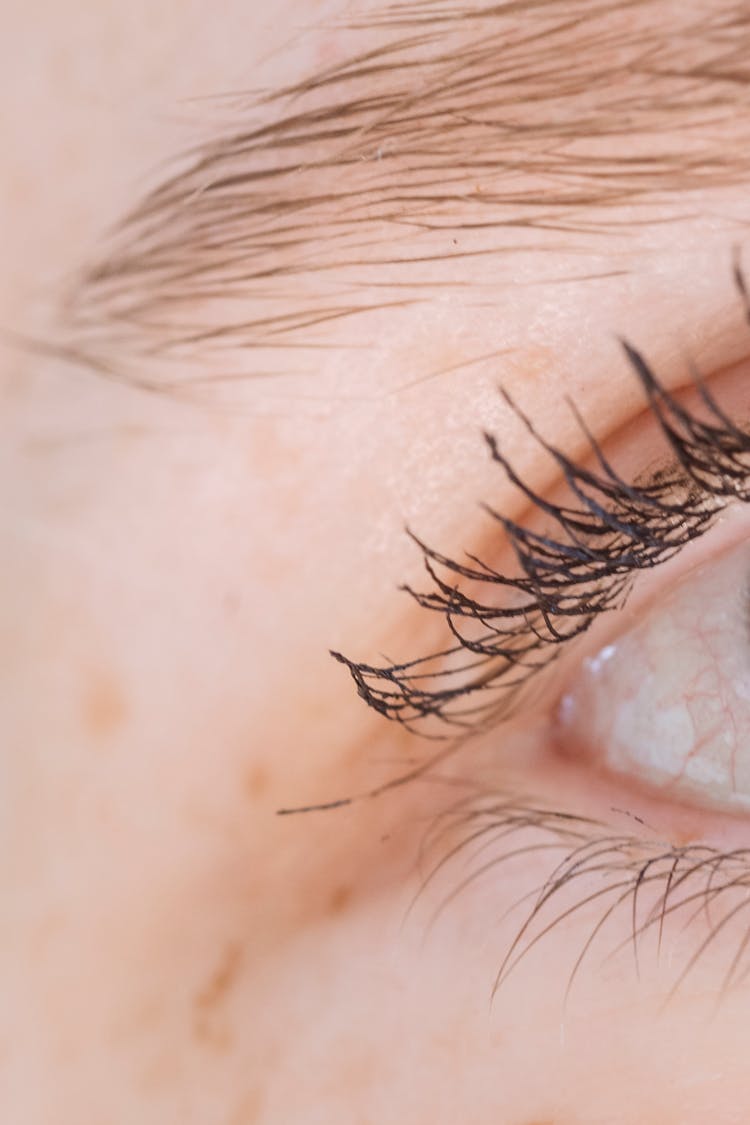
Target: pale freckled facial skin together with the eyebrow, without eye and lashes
point(179, 556)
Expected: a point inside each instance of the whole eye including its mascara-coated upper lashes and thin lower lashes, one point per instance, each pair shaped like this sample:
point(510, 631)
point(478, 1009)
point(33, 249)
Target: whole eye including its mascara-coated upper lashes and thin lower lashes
point(601, 655)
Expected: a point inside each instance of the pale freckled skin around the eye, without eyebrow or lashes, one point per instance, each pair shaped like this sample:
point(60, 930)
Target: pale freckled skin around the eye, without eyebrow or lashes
point(174, 579)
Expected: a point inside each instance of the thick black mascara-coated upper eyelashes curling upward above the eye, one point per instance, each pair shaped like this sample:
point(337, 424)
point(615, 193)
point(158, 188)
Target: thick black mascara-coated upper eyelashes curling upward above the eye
point(582, 568)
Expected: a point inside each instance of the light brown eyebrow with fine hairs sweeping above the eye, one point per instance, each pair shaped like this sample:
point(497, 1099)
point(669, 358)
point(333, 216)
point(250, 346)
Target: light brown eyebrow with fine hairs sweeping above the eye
point(463, 133)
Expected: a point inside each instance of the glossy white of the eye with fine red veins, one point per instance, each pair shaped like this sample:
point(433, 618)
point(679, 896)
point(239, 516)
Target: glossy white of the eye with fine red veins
point(668, 701)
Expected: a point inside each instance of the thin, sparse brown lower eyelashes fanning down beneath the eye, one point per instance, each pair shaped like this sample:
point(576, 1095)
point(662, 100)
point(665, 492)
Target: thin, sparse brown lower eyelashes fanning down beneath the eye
point(662, 890)
